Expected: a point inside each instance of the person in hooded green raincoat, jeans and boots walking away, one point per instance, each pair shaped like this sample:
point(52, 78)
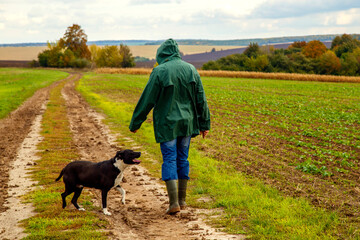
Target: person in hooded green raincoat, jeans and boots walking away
point(176, 93)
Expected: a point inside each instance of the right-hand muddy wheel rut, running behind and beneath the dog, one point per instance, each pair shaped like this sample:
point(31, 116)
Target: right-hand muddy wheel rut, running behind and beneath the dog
point(143, 216)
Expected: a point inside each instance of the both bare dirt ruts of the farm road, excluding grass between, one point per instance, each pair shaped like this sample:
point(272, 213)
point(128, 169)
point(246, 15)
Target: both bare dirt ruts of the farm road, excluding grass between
point(143, 215)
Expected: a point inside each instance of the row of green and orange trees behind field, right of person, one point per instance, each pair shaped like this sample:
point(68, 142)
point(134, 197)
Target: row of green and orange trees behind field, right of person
point(343, 58)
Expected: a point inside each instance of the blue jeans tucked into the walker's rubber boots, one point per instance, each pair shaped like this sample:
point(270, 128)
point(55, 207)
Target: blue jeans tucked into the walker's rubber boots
point(175, 159)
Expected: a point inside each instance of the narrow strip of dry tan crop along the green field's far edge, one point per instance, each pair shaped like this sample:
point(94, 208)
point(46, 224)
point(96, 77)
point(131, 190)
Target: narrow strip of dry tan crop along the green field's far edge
point(231, 74)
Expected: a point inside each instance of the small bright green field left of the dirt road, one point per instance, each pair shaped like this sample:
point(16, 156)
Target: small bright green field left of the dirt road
point(16, 85)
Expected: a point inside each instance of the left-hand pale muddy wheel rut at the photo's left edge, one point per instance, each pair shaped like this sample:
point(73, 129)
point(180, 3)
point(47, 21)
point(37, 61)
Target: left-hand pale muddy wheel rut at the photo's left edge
point(18, 146)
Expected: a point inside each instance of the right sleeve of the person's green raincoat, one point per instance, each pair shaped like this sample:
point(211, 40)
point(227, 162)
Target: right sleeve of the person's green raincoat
point(202, 106)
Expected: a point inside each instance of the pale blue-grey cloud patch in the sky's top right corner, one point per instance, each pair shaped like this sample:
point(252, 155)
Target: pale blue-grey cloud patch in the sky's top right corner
point(297, 8)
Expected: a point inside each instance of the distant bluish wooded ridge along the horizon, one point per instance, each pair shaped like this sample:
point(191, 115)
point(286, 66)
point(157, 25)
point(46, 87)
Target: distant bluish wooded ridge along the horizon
point(235, 42)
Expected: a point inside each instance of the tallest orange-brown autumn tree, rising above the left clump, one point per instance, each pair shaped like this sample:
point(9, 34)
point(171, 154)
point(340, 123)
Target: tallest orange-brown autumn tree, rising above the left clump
point(75, 39)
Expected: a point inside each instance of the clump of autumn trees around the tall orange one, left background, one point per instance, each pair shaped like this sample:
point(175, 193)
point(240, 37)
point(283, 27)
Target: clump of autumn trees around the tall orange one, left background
point(72, 51)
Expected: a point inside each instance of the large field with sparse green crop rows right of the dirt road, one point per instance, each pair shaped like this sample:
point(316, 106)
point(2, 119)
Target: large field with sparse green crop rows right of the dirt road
point(281, 160)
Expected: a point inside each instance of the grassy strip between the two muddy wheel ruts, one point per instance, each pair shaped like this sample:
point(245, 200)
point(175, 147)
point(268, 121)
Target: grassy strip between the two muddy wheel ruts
point(56, 150)
